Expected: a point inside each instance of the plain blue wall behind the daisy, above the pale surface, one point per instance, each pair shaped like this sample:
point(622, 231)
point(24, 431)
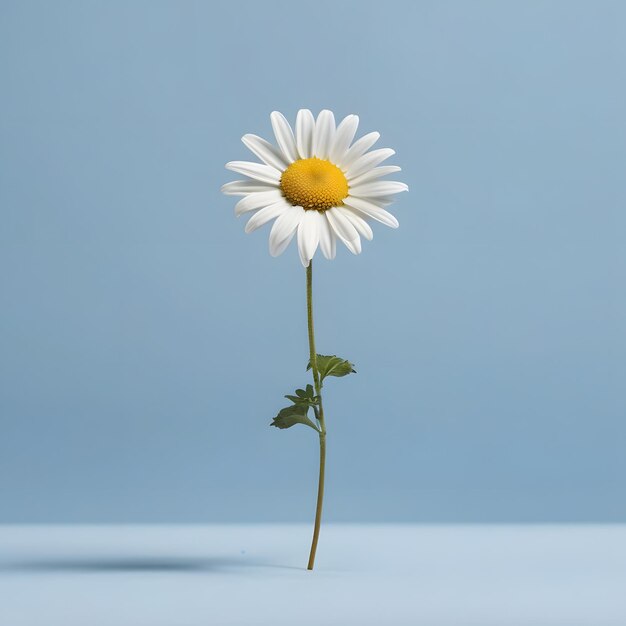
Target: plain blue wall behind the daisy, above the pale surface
point(146, 341)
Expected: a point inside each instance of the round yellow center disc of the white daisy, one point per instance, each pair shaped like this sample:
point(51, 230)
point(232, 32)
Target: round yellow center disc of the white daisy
point(314, 184)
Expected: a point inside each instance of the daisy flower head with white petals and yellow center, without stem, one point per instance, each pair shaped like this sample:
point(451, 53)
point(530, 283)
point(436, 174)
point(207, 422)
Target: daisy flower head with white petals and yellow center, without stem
point(316, 183)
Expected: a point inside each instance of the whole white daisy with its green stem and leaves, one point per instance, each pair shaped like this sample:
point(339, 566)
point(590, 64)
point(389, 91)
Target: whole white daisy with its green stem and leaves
point(318, 184)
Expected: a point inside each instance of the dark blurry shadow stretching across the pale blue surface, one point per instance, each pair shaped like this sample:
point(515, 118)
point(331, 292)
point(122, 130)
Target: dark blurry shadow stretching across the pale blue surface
point(136, 564)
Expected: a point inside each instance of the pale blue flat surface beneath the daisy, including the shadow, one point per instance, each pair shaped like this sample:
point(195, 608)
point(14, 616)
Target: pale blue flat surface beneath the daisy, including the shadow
point(395, 575)
